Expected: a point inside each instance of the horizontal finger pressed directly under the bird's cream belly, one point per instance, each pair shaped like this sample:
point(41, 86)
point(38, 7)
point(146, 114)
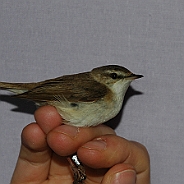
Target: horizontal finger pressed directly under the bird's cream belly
point(65, 139)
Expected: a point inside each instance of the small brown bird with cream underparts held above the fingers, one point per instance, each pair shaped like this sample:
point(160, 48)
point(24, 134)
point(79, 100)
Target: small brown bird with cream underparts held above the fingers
point(84, 99)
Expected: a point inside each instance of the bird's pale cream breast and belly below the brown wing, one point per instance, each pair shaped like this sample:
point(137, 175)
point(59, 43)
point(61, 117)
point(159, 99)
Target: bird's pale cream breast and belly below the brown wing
point(89, 113)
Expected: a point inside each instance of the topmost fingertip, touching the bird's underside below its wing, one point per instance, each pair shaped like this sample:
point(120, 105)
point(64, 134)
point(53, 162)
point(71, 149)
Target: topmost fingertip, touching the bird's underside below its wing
point(47, 118)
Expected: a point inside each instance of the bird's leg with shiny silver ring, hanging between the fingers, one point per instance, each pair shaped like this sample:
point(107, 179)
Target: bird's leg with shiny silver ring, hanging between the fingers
point(78, 170)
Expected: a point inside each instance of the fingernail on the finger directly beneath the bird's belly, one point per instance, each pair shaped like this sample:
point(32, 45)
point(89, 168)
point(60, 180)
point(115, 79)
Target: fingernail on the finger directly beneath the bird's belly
point(70, 131)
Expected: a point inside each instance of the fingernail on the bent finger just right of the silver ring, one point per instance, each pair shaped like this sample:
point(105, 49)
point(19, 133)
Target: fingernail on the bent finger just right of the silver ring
point(97, 144)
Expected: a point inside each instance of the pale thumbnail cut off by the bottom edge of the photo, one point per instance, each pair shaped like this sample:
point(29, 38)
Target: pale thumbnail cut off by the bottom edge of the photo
point(124, 177)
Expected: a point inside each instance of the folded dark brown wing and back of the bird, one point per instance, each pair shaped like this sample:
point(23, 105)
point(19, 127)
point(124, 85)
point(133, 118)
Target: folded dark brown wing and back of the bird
point(74, 88)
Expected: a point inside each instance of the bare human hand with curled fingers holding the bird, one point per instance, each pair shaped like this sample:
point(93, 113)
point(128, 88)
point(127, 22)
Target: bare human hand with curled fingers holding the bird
point(108, 158)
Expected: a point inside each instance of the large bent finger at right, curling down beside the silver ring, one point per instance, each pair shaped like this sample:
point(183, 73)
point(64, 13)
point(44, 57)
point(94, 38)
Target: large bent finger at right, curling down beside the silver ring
point(109, 150)
